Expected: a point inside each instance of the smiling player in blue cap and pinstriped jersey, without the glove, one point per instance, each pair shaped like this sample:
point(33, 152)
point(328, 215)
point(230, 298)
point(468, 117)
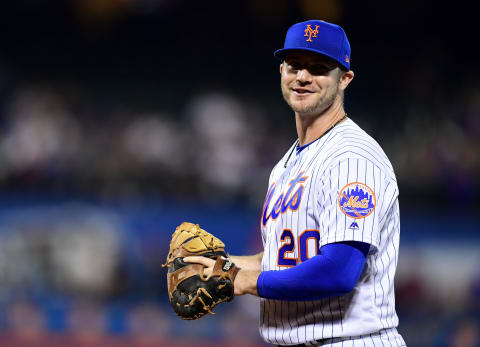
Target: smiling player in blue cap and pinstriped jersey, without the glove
point(330, 222)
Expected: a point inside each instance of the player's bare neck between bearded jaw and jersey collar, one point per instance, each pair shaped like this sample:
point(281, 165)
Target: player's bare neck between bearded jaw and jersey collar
point(311, 128)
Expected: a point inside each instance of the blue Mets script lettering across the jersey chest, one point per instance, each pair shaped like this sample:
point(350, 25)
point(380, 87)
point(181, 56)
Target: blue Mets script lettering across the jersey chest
point(289, 200)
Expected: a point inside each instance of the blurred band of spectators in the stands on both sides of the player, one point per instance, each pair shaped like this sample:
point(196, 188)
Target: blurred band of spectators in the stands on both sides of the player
point(217, 146)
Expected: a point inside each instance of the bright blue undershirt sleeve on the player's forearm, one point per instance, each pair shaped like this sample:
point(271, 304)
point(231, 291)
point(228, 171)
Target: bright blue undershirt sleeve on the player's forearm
point(333, 272)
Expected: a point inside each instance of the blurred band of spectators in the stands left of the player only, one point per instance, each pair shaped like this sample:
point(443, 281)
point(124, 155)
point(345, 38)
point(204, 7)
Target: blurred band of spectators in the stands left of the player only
point(216, 146)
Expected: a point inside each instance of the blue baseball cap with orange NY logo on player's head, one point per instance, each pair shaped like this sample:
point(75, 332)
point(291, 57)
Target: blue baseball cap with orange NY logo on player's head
point(320, 37)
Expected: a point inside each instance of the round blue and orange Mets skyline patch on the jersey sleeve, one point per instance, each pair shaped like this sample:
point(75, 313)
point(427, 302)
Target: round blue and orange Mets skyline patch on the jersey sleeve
point(357, 200)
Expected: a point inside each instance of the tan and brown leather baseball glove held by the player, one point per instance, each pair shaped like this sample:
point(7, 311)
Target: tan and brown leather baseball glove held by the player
point(191, 293)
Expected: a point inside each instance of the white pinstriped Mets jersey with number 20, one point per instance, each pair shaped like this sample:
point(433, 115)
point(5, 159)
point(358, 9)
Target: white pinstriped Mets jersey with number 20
point(339, 188)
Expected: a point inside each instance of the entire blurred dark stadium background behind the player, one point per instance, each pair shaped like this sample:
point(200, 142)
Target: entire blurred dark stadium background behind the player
point(119, 119)
